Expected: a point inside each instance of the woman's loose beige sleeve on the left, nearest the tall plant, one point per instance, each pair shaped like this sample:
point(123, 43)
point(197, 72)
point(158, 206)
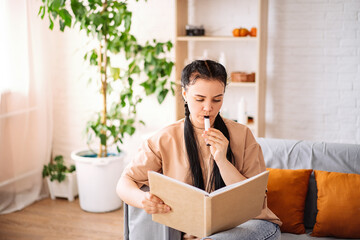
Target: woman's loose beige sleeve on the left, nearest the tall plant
point(146, 159)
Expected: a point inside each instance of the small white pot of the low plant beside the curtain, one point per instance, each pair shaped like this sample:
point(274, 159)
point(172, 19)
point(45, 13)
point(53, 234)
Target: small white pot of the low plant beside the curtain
point(65, 189)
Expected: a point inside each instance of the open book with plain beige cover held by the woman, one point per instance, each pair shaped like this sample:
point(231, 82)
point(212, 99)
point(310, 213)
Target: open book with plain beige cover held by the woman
point(200, 213)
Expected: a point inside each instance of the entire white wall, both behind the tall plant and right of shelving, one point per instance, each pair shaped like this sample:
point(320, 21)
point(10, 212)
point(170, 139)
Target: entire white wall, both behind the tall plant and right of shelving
point(313, 74)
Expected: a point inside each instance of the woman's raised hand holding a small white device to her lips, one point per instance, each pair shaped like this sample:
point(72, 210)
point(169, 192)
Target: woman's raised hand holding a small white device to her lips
point(218, 142)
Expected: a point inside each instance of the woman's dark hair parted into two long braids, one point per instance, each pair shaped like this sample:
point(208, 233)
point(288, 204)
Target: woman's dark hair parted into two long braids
point(212, 71)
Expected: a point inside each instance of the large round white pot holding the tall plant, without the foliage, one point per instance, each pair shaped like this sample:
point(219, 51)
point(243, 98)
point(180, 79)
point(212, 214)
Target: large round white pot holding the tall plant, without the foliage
point(97, 179)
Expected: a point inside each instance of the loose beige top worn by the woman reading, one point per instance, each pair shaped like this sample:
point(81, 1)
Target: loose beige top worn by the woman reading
point(165, 152)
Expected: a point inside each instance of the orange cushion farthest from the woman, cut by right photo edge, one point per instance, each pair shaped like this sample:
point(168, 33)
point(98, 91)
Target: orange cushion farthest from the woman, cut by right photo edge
point(338, 205)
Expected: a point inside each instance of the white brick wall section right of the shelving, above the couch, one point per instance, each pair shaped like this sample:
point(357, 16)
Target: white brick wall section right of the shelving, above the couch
point(313, 70)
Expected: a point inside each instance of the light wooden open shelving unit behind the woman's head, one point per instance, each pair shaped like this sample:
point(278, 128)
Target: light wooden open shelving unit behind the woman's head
point(237, 50)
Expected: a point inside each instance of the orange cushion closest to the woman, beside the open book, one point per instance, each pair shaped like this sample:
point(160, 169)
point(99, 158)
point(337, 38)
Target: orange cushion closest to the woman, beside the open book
point(287, 191)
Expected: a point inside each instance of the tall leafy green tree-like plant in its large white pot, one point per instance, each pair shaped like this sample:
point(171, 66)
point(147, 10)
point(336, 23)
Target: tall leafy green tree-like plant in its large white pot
point(108, 23)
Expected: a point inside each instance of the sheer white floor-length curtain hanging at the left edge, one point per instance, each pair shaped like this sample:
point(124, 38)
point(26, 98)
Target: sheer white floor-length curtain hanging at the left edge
point(25, 105)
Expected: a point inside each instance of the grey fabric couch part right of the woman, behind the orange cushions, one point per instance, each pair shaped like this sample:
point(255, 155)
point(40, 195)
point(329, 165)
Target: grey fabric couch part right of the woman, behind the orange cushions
point(292, 154)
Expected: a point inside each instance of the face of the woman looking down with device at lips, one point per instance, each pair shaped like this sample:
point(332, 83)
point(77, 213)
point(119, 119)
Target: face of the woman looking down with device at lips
point(204, 98)
